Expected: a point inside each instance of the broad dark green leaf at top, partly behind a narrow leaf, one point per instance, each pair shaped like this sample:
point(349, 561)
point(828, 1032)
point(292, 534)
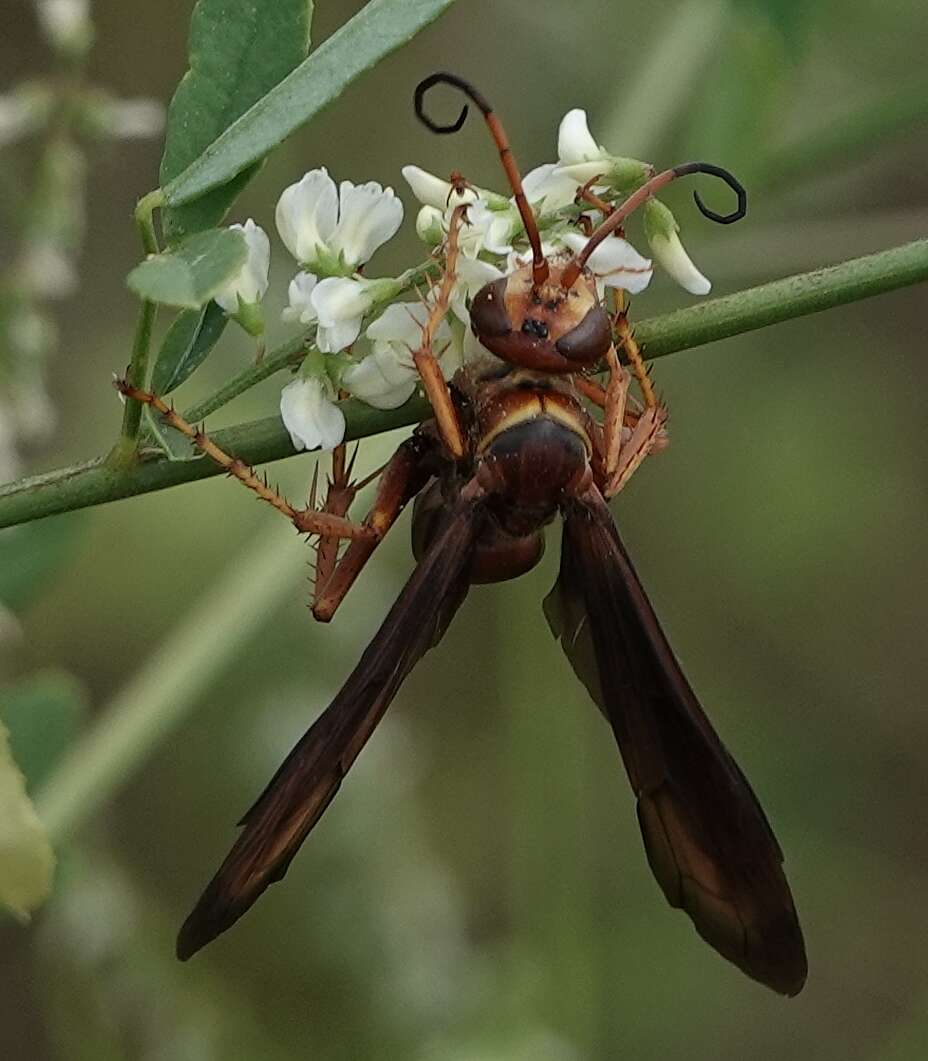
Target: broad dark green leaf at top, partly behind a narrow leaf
point(239, 50)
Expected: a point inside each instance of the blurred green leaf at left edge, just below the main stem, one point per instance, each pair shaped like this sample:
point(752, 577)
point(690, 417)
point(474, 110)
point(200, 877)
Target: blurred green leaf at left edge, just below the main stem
point(30, 555)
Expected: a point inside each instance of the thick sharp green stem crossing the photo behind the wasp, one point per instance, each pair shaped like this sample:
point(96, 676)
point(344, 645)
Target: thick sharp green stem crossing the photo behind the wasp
point(98, 482)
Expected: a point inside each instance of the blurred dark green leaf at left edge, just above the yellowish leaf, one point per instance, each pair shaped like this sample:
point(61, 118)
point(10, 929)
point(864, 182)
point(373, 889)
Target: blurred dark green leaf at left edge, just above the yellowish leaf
point(43, 715)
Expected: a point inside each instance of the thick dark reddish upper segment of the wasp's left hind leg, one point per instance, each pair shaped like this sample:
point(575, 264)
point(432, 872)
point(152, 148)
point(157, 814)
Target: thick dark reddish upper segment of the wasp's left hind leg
point(405, 476)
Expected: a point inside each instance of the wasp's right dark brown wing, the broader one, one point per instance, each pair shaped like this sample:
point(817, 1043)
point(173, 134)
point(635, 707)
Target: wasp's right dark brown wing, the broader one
point(708, 841)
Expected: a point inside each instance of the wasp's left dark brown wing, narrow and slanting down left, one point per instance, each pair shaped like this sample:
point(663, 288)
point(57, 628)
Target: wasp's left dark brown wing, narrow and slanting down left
point(309, 778)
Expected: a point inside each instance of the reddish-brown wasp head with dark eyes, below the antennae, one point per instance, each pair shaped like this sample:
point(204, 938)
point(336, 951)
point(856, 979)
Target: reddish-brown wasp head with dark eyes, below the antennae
point(546, 327)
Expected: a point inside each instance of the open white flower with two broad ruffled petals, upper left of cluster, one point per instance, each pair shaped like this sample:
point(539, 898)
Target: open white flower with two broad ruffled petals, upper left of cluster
point(334, 232)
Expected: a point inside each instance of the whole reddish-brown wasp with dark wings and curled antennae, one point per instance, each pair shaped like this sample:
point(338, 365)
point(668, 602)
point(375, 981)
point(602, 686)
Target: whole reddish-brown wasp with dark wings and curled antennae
point(512, 446)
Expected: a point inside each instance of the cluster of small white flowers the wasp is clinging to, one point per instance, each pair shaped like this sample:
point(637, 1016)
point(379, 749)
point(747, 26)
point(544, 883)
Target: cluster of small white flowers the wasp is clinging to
point(334, 232)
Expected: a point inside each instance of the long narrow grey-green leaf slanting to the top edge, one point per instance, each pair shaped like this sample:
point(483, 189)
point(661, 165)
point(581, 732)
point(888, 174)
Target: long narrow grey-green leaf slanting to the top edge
point(378, 30)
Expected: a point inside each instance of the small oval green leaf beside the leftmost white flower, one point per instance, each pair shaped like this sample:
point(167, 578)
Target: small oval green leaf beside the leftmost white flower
point(190, 274)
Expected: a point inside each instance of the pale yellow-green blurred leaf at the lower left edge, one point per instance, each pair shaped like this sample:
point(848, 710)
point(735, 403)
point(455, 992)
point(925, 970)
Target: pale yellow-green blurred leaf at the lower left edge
point(27, 861)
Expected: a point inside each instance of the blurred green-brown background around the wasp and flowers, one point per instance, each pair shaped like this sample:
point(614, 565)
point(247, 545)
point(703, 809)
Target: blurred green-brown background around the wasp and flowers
point(479, 891)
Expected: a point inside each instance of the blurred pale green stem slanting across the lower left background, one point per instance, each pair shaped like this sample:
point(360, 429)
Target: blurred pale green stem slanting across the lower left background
point(168, 686)
